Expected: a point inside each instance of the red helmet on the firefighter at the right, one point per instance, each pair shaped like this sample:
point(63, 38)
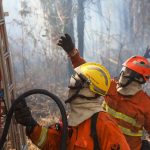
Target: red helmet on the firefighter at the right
point(140, 65)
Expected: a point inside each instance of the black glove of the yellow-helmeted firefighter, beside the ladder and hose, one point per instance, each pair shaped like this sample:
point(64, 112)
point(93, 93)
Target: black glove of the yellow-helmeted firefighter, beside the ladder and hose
point(23, 115)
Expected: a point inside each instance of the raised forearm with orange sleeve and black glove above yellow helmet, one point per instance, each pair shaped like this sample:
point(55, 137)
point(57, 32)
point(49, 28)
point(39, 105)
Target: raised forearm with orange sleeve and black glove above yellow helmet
point(69, 47)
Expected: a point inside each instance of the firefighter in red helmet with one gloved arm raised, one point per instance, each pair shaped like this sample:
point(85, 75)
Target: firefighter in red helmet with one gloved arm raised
point(125, 101)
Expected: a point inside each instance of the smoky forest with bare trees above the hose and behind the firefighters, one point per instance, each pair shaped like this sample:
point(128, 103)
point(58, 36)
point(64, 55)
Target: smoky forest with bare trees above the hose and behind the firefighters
point(105, 31)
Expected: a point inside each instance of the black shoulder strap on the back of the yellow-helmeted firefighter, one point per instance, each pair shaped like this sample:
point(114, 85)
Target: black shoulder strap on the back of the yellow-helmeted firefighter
point(94, 132)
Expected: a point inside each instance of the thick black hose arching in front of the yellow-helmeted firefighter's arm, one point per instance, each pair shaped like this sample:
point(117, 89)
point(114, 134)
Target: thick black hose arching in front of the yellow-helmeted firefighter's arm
point(23, 96)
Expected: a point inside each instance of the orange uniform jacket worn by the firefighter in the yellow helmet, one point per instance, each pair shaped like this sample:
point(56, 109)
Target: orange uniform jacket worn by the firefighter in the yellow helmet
point(109, 136)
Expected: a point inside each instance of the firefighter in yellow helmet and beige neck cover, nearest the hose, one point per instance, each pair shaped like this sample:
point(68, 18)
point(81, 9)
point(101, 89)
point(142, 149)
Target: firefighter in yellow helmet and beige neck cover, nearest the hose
point(86, 90)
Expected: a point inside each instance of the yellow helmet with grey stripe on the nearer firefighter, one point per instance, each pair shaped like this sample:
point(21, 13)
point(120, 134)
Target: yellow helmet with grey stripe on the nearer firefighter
point(96, 75)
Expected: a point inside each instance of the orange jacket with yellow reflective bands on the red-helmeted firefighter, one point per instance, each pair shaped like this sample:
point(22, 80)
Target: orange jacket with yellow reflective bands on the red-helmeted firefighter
point(132, 113)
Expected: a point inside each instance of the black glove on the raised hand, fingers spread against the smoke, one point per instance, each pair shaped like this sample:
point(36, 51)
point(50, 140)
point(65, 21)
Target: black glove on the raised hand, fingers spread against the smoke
point(66, 43)
